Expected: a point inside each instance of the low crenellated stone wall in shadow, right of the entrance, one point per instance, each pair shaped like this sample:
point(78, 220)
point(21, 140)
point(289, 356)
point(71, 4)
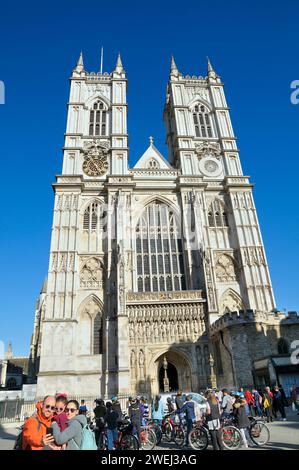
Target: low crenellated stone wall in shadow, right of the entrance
point(246, 336)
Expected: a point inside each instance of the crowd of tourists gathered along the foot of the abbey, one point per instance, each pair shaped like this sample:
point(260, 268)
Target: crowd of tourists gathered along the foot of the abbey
point(62, 424)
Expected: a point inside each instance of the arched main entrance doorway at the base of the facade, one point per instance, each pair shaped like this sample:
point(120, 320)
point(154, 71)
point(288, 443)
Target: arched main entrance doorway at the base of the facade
point(178, 371)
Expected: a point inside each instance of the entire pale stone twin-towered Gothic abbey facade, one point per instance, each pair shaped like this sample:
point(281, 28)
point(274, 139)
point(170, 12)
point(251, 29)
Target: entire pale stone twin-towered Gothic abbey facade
point(145, 260)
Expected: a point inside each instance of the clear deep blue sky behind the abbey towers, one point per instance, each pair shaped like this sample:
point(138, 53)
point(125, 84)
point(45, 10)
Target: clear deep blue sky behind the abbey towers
point(252, 45)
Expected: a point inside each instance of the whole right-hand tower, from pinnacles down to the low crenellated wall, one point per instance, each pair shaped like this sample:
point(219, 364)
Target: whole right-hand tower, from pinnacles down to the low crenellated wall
point(202, 146)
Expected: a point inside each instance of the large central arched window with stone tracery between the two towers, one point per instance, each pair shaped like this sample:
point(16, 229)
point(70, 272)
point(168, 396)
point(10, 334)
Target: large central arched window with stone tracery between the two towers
point(160, 264)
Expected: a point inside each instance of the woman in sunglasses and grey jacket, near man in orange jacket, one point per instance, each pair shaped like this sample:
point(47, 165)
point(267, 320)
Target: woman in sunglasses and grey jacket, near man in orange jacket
point(72, 435)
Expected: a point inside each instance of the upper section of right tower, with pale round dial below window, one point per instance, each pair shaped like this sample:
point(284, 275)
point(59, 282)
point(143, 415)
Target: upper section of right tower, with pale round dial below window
point(200, 136)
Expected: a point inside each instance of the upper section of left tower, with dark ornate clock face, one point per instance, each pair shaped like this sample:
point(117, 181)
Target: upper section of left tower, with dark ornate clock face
point(96, 139)
